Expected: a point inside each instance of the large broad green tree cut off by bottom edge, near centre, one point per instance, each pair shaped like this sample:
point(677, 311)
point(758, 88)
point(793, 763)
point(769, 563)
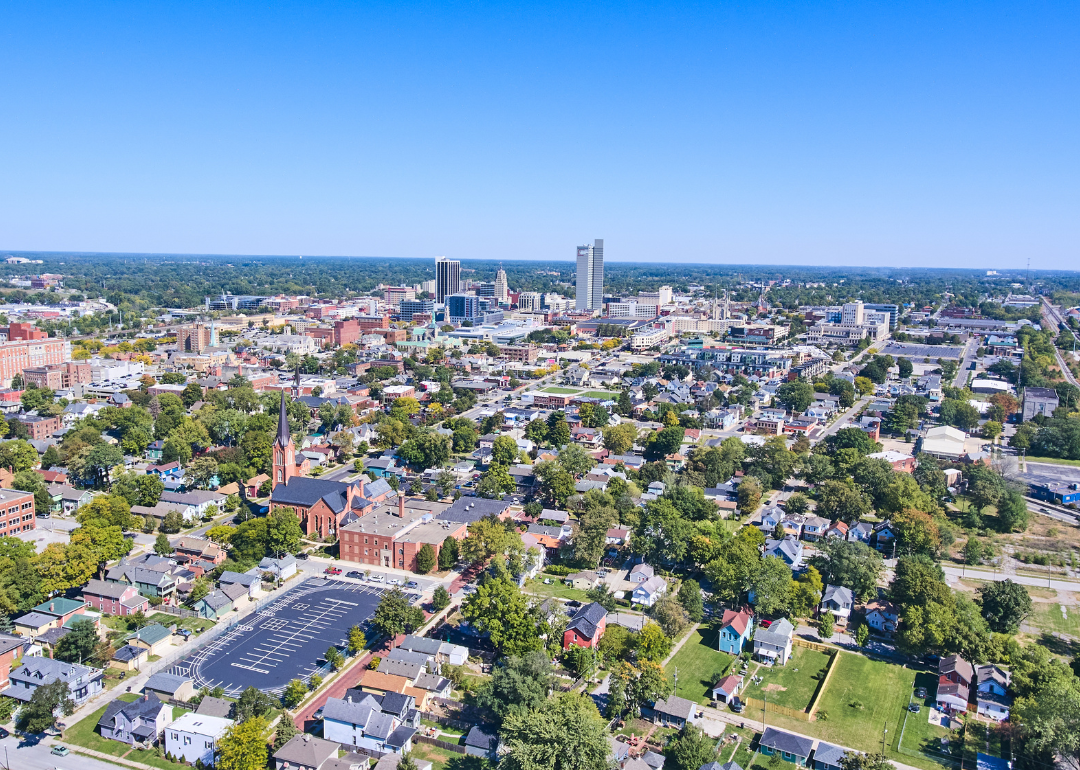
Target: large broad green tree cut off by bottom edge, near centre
point(564, 734)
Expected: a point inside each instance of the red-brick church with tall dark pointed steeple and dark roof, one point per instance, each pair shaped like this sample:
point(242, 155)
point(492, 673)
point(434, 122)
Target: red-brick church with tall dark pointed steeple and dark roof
point(323, 506)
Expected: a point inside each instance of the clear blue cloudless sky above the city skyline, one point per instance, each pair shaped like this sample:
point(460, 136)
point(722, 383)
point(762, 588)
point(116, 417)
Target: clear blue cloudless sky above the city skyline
point(833, 133)
